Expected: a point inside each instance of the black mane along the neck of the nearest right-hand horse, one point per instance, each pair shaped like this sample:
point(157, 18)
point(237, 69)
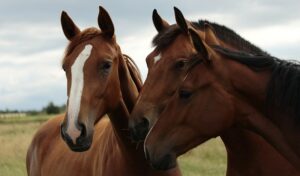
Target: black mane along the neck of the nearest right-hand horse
point(284, 85)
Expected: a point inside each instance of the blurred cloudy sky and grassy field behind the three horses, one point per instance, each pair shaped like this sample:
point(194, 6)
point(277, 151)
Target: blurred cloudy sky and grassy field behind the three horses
point(33, 85)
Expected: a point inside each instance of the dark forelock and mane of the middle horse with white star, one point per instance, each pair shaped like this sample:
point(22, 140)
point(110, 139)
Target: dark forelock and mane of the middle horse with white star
point(165, 38)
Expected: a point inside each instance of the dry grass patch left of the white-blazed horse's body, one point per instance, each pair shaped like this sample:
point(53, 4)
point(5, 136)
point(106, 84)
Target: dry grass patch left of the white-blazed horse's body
point(15, 137)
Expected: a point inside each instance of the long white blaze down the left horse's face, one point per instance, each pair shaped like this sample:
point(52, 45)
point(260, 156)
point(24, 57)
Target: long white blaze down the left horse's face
point(76, 91)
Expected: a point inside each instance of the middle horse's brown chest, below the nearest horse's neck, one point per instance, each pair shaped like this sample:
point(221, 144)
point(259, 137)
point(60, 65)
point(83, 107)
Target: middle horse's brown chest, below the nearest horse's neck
point(248, 153)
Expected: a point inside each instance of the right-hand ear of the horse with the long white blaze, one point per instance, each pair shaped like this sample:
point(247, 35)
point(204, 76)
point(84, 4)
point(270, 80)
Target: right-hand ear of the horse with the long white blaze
point(105, 23)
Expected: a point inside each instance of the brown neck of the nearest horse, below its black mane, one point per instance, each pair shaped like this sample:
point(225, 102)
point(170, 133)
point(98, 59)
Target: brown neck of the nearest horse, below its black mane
point(249, 92)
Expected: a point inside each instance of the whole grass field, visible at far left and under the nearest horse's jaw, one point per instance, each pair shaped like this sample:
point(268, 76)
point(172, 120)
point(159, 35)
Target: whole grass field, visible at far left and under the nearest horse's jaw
point(16, 133)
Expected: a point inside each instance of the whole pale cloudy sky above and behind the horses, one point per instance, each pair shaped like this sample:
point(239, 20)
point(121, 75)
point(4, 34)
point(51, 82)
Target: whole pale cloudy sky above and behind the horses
point(32, 42)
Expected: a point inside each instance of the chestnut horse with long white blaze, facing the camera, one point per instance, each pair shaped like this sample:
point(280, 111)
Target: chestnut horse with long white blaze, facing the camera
point(100, 80)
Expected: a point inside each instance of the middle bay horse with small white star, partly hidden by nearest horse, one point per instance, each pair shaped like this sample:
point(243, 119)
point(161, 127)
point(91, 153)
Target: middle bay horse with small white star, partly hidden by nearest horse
point(169, 63)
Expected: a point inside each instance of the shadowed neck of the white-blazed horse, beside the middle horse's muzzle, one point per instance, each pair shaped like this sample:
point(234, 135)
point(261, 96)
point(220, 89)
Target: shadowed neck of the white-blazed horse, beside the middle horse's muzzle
point(119, 119)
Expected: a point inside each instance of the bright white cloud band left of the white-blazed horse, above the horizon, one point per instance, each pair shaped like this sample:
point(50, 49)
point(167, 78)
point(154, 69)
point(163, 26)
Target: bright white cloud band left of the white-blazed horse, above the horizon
point(31, 81)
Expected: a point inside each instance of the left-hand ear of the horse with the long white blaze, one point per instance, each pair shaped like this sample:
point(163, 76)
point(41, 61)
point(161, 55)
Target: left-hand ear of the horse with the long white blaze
point(69, 27)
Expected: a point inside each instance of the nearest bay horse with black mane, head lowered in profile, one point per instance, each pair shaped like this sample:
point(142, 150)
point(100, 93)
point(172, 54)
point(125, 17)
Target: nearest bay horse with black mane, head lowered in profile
point(224, 89)
